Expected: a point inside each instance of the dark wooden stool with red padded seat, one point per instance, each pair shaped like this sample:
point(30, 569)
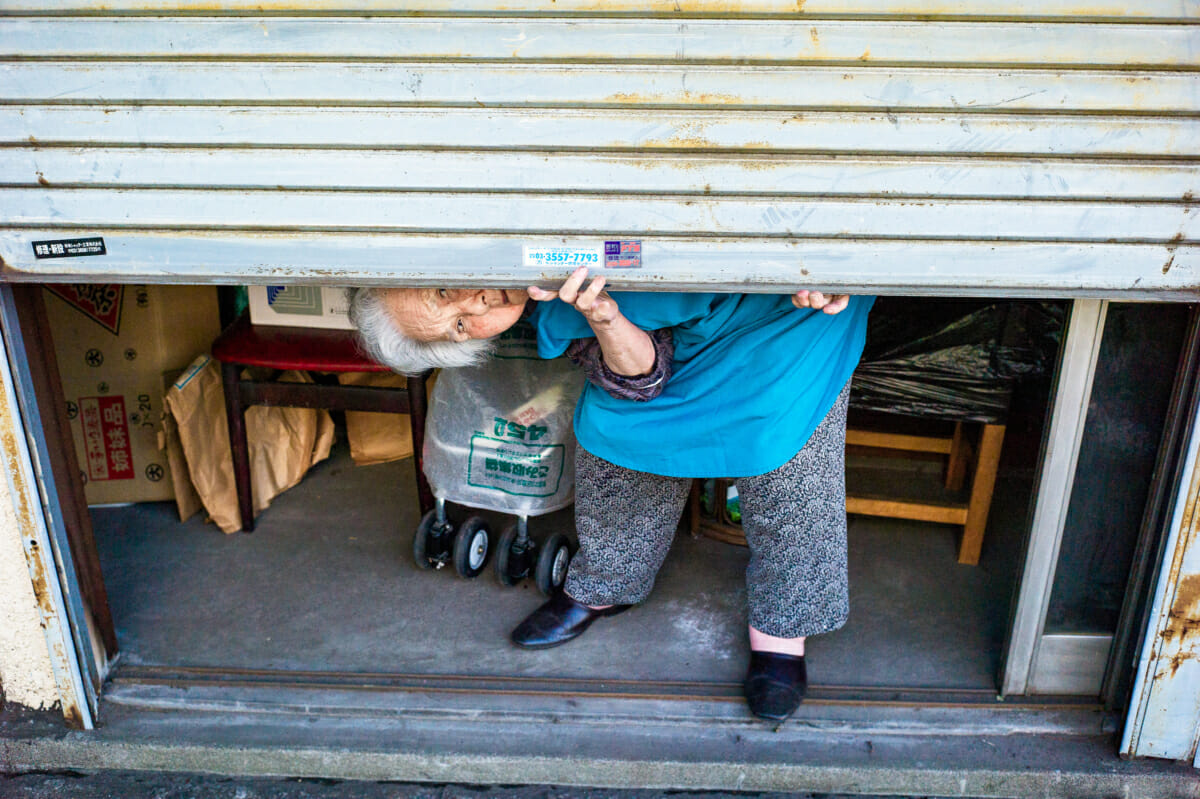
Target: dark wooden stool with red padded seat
point(310, 350)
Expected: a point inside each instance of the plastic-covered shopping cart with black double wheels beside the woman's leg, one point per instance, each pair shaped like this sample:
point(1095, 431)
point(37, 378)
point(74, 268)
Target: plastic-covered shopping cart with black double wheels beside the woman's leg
point(500, 437)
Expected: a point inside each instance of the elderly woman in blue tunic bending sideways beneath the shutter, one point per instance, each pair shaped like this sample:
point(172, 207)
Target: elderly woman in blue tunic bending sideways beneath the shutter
point(752, 387)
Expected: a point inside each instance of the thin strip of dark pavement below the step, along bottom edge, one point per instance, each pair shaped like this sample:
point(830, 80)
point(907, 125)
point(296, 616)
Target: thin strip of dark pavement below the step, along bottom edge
point(149, 785)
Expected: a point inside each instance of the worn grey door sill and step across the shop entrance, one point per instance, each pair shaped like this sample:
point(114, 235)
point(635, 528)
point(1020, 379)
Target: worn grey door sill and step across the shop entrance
point(507, 731)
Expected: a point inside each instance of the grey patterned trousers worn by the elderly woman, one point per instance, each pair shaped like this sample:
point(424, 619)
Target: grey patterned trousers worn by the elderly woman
point(794, 518)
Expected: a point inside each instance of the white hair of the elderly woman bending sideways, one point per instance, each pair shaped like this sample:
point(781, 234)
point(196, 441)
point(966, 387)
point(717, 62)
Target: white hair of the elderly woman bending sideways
point(385, 343)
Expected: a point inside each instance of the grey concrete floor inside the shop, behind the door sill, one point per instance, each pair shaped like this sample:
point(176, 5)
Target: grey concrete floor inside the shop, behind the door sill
point(327, 584)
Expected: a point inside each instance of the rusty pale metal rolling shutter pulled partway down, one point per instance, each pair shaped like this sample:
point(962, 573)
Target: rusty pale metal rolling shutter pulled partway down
point(955, 147)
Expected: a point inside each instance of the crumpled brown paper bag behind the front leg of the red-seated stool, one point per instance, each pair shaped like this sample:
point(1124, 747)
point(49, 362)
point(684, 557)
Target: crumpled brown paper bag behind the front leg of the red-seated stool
point(284, 442)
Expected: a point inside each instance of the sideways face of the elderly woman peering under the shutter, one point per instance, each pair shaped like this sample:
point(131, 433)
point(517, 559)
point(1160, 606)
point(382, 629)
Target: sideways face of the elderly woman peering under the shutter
point(455, 315)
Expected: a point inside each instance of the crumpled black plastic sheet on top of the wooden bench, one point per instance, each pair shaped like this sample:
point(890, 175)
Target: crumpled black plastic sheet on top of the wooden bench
point(953, 359)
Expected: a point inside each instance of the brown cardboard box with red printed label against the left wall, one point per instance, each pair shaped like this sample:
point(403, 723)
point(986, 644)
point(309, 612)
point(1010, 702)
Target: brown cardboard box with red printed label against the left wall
point(113, 346)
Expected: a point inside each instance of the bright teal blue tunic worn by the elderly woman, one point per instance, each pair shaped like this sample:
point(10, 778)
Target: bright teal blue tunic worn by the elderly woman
point(754, 377)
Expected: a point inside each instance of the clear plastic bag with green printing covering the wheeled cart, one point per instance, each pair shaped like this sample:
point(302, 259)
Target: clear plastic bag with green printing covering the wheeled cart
point(501, 436)
